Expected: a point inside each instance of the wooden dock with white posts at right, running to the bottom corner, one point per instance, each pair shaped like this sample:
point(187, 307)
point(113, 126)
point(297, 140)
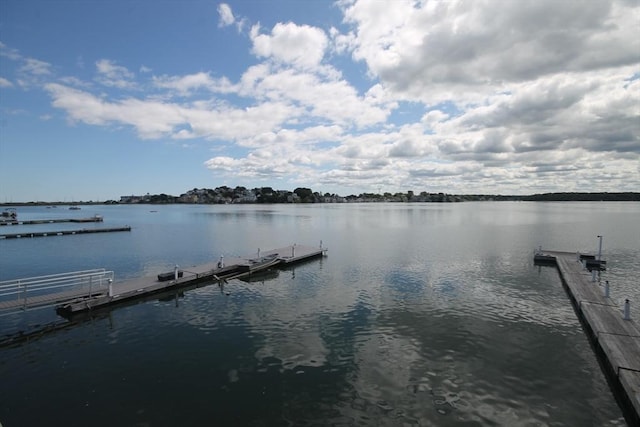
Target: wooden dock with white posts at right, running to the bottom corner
point(614, 336)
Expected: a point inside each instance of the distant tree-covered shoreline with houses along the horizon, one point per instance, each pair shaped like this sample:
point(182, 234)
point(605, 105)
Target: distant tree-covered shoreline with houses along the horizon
point(242, 195)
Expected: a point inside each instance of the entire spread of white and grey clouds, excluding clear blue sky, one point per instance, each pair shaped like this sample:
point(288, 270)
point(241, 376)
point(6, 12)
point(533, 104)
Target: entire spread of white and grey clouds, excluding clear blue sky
point(453, 96)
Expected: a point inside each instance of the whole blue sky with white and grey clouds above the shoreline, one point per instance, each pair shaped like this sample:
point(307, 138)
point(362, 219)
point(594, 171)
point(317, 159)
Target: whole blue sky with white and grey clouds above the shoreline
point(100, 99)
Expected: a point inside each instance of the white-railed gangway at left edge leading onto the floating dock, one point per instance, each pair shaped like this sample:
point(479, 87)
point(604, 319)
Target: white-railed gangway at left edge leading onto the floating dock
point(35, 290)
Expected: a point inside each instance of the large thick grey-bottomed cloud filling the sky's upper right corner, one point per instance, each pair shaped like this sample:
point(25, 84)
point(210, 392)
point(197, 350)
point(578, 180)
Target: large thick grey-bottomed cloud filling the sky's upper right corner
point(432, 50)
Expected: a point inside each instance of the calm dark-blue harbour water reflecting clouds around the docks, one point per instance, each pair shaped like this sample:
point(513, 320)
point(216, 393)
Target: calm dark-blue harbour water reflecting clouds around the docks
point(421, 314)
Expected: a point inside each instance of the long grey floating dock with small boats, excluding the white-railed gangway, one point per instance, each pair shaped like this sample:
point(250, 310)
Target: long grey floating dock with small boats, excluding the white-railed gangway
point(220, 271)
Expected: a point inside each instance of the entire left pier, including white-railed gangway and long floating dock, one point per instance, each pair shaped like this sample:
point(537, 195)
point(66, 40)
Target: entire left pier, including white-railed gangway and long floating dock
point(104, 291)
